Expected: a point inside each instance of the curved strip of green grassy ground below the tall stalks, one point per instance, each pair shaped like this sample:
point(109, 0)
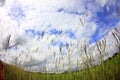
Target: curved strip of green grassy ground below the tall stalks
point(109, 70)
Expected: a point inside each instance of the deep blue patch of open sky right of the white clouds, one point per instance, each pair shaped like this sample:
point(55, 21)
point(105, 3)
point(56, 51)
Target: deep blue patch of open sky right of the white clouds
point(105, 20)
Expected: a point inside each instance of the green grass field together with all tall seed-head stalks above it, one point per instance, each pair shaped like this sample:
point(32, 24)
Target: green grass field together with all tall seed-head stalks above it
point(107, 70)
